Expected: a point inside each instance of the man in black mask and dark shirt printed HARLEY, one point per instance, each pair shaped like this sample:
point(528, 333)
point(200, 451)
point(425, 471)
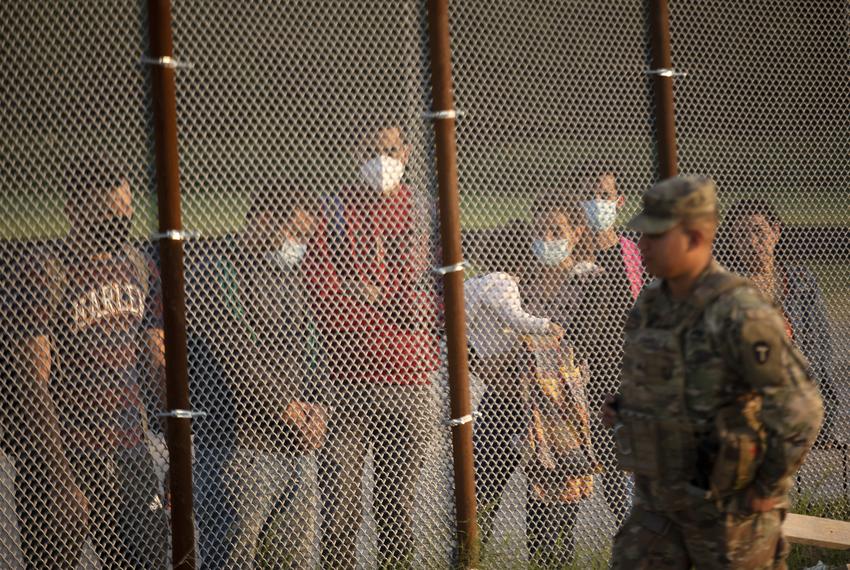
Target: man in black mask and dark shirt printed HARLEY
point(101, 328)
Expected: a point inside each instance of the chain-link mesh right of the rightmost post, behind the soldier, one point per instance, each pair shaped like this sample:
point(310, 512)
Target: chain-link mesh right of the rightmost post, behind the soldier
point(763, 110)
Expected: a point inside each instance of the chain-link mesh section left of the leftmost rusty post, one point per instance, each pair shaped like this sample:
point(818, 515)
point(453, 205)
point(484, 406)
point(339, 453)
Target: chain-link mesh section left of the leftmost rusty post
point(81, 337)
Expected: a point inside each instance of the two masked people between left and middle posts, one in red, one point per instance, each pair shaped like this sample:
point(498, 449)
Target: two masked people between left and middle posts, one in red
point(324, 339)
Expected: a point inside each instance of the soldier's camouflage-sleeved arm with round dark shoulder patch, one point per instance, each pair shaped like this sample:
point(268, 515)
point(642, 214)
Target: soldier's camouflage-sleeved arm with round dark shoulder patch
point(791, 408)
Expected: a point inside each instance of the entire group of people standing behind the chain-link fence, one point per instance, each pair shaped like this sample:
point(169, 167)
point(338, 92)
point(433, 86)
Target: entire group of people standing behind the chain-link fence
point(314, 337)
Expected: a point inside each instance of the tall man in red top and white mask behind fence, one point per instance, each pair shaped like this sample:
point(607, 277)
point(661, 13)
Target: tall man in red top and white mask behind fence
point(368, 272)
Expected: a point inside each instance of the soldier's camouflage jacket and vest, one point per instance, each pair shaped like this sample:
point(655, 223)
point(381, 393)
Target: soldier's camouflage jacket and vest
point(715, 399)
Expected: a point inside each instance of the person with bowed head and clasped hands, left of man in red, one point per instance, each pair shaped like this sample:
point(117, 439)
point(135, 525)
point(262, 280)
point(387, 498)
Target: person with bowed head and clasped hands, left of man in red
point(251, 374)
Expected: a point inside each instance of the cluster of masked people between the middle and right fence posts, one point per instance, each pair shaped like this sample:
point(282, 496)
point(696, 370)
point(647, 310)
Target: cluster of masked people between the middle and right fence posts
point(545, 320)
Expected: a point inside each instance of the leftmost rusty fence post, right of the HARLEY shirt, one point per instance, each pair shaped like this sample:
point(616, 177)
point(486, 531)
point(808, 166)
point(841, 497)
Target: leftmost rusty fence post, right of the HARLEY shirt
point(179, 429)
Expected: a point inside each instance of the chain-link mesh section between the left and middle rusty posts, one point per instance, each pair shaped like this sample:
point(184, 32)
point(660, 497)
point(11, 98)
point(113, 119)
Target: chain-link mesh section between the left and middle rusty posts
point(313, 314)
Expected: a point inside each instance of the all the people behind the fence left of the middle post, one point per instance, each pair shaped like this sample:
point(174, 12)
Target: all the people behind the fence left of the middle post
point(312, 337)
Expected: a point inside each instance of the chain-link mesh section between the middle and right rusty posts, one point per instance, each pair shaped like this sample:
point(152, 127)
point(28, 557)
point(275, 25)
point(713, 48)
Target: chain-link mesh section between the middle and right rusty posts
point(554, 128)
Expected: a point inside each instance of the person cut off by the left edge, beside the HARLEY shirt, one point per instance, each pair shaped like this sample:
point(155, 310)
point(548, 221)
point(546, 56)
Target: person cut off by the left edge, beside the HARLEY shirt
point(52, 512)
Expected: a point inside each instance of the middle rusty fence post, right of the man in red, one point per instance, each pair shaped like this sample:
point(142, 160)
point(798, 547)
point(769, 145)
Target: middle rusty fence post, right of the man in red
point(444, 115)
